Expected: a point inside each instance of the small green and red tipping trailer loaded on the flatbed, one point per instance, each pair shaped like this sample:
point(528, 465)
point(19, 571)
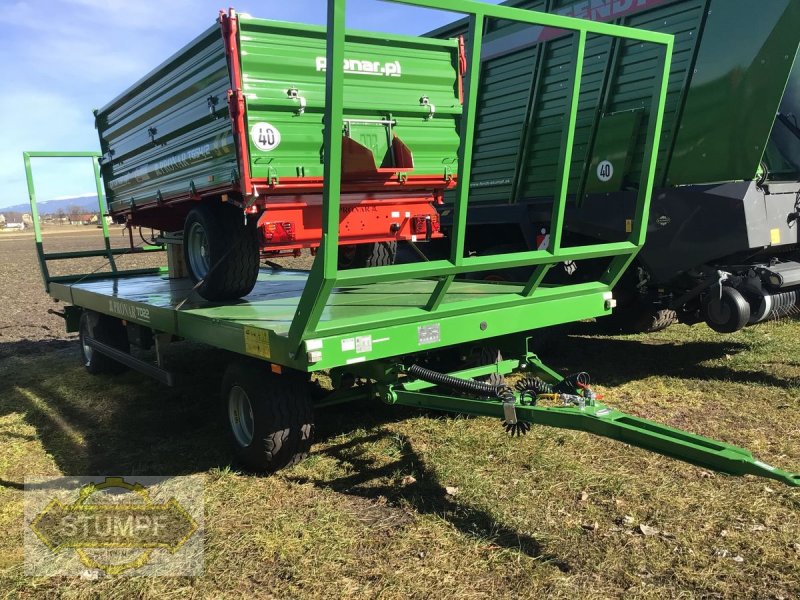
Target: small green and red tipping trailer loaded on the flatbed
point(233, 122)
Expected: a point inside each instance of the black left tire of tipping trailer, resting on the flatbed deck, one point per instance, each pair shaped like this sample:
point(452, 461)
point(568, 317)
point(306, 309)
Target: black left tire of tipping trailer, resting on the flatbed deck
point(221, 251)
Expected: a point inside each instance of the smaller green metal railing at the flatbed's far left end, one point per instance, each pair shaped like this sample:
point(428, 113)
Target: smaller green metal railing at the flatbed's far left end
point(107, 252)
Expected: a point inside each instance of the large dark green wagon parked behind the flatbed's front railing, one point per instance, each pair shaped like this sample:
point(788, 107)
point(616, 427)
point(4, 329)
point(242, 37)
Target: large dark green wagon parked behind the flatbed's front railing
point(722, 236)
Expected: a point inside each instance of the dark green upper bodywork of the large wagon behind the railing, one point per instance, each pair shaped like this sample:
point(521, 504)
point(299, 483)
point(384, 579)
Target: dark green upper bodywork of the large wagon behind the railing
point(720, 97)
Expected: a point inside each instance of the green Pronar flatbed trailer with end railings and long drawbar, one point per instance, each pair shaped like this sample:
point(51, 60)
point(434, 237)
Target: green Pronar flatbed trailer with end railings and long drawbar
point(378, 331)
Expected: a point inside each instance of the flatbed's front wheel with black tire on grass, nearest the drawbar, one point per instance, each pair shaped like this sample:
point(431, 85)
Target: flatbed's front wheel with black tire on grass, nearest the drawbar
point(270, 418)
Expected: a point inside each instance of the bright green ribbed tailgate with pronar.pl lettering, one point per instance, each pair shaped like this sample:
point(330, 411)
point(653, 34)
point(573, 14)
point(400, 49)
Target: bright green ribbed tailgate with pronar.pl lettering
point(277, 57)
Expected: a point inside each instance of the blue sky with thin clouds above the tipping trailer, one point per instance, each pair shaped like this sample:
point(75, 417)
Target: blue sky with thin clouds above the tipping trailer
point(59, 59)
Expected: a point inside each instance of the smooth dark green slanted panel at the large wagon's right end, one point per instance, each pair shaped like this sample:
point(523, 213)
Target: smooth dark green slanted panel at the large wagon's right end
point(743, 64)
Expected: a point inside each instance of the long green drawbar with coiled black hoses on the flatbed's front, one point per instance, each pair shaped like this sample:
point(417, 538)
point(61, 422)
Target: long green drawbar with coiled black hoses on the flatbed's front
point(576, 407)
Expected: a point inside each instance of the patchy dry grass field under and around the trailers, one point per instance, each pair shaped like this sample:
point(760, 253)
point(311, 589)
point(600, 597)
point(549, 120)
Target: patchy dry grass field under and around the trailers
point(397, 503)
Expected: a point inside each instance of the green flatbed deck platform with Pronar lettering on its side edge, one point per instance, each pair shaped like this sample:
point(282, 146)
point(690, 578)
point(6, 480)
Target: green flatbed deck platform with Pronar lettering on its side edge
point(258, 325)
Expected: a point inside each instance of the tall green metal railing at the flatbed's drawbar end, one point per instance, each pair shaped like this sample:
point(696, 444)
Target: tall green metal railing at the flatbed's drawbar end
point(325, 276)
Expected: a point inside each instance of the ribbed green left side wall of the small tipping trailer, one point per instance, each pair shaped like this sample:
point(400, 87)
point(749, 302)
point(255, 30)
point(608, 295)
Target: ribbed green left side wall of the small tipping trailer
point(192, 143)
